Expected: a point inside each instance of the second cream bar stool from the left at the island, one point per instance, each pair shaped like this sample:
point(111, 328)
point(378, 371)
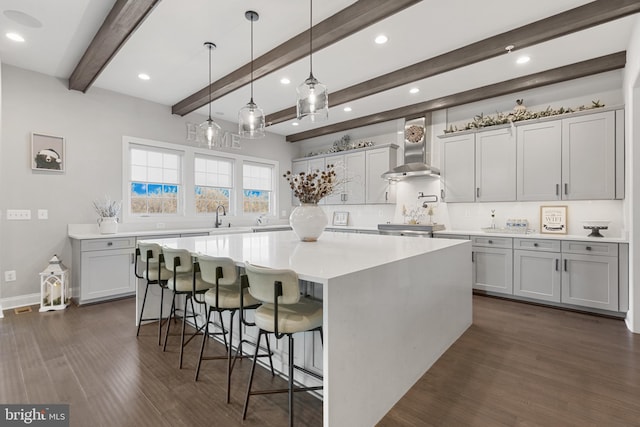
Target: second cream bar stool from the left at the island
point(185, 280)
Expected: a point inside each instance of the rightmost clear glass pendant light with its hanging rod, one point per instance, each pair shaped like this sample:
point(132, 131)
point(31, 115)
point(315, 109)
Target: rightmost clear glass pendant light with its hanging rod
point(313, 97)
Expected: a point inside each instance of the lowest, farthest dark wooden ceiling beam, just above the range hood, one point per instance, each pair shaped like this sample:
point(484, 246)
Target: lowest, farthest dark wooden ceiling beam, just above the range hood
point(602, 64)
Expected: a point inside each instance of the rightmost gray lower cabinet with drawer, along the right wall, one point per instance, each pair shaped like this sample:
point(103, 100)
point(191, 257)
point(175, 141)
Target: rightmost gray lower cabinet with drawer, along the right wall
point(590, 275)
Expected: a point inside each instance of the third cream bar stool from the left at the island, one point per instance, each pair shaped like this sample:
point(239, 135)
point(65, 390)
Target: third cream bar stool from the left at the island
point(225, 295)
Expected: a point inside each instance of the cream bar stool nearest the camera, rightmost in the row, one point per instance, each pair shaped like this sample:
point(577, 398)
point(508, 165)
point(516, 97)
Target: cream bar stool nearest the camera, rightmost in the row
point(283, 313)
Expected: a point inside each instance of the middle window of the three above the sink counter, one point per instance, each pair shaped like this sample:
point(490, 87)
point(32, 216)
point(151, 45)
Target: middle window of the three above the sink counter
point(213, 178)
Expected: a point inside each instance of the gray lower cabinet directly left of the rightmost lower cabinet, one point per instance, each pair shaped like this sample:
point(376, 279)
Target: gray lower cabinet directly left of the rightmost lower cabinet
point(536, 269)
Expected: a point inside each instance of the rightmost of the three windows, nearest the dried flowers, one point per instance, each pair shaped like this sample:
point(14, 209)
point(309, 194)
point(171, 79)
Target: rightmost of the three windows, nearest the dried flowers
point(257, 188)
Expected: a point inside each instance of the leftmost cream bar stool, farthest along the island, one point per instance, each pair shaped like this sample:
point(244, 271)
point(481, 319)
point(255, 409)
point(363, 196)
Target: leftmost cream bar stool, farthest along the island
point(154, 273)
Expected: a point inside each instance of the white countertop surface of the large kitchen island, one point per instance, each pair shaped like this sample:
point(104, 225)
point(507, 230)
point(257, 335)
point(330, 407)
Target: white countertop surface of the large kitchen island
point(333, 255)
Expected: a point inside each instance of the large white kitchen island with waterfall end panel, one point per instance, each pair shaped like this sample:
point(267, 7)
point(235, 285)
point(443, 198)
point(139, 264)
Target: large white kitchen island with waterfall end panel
point(392, 307)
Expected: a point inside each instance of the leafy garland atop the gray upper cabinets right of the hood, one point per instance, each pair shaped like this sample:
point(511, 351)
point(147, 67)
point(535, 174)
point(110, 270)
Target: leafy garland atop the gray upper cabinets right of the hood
point(519, 113)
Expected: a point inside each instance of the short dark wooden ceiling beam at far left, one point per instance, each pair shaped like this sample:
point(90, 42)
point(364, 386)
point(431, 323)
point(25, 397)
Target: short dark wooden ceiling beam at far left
point(123, 20)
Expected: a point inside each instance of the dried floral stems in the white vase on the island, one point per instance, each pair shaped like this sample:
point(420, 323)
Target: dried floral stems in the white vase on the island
point(312, 186)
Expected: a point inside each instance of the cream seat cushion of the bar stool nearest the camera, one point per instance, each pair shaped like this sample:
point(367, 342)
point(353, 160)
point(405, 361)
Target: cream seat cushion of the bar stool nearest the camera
point(306, 315)
